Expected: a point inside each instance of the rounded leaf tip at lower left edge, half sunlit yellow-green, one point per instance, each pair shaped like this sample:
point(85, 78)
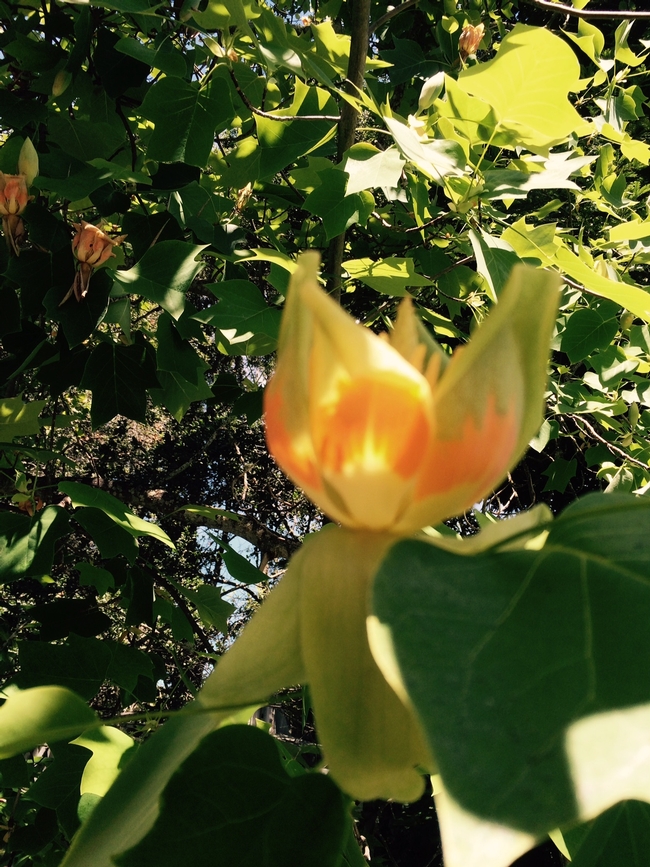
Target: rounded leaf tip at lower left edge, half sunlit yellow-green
point(46, 714)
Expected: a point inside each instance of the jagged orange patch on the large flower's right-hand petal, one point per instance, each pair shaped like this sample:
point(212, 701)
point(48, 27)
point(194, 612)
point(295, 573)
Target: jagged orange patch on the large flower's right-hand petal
point(478, 460)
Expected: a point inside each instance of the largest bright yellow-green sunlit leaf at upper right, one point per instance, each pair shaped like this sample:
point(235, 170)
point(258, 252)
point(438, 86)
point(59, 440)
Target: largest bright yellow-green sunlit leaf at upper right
point(527, 84)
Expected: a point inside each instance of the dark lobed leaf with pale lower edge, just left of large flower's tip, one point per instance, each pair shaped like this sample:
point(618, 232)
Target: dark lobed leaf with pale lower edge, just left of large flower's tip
point(248, 325)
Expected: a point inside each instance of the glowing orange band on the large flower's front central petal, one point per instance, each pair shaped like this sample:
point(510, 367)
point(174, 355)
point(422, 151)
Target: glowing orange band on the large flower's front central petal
point(375, 425)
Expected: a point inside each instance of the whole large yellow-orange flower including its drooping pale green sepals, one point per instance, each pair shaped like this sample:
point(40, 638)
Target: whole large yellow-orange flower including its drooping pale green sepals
point(387, 435)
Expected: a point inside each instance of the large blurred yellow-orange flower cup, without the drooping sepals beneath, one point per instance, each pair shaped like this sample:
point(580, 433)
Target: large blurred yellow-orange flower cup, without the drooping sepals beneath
point(377, 433)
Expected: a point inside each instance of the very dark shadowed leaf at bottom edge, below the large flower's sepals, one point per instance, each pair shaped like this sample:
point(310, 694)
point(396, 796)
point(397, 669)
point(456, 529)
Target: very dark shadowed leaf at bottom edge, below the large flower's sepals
point(274, 818)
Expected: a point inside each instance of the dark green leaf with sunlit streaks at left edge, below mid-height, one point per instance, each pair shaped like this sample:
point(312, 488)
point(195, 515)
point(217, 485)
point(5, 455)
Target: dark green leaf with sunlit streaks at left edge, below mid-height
point(27, 544)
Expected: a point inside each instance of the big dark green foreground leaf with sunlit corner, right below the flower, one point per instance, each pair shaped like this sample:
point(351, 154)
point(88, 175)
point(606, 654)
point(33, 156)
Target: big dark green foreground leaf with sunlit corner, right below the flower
point(546, 635)
